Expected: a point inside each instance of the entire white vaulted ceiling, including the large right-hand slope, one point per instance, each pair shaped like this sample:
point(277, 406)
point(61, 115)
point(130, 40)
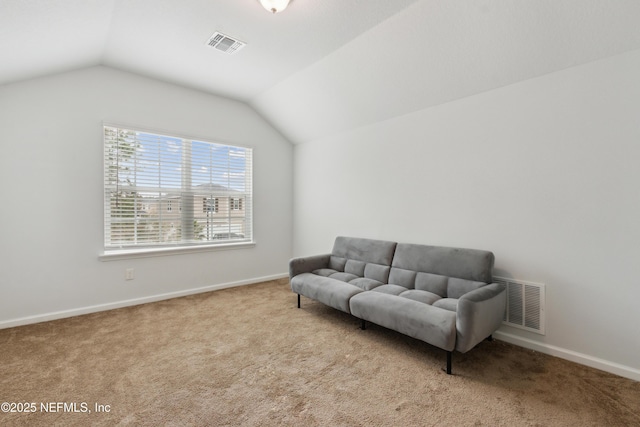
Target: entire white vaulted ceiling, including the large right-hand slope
point(322, 66)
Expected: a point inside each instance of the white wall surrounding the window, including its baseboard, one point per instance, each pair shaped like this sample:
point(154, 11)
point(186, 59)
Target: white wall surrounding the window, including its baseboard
point(52, 193)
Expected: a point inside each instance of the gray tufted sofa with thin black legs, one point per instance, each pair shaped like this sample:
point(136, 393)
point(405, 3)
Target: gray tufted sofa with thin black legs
point(442, 296)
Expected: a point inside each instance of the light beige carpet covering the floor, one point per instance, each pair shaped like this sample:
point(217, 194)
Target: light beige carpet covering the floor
point(248, 356)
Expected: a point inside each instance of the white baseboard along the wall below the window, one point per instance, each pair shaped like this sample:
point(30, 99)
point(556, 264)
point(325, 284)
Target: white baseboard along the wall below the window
point(127, 303)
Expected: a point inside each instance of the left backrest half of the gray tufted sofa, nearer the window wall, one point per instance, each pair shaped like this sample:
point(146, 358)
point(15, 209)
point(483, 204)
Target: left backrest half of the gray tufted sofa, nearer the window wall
point(363, 257)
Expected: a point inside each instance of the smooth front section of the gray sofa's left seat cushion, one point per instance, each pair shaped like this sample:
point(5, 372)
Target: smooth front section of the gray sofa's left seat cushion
point(331, 292)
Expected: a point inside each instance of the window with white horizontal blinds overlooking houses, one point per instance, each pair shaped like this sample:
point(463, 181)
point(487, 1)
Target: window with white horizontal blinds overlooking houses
point(168, 191)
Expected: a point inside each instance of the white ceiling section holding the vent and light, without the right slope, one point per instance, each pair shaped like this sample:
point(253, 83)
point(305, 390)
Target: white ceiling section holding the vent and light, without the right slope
point(166, 39)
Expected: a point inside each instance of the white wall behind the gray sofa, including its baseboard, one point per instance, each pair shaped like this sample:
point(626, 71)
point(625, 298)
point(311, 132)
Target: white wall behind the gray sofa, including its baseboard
point(544, 173)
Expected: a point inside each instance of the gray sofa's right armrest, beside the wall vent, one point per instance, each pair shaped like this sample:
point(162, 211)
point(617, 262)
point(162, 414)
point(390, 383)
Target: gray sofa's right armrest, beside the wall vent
point(479, 314)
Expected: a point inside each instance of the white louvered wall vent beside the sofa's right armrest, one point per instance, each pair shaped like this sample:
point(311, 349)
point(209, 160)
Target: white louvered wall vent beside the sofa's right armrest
point(525, 304)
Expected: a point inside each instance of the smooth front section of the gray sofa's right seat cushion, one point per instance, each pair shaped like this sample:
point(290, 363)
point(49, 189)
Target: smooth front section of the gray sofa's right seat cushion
point(415, 319)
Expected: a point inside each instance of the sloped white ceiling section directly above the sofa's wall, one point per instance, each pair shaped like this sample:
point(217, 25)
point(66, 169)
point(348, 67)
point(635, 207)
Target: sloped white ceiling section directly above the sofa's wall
point(434, 52)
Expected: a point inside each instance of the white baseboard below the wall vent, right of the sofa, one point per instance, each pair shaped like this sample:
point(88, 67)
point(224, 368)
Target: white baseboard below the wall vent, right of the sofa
point(563, 353)
